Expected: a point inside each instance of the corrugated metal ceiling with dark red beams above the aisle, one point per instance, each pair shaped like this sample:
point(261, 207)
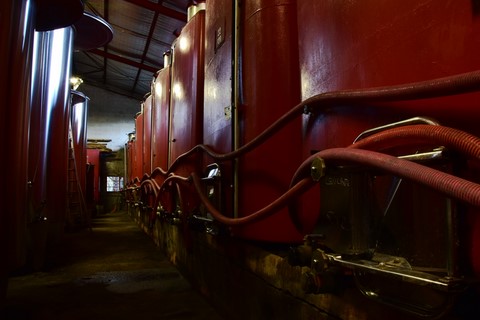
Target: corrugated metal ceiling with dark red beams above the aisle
point(142, 31)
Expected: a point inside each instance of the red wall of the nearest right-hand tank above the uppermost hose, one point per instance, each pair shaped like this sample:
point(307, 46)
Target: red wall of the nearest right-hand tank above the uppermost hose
point(344, 46)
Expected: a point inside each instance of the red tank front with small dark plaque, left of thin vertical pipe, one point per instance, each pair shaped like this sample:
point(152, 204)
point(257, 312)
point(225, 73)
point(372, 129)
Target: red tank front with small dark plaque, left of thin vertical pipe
point(218, 112)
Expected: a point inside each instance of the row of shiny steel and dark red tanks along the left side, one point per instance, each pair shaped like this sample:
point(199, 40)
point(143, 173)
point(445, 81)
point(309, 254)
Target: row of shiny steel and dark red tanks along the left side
point(43, 122)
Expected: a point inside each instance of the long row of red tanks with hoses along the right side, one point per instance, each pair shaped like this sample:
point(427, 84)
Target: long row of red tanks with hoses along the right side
point(348, 129)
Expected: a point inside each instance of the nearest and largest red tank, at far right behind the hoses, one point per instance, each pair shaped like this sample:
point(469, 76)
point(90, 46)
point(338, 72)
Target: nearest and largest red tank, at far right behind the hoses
point(363, 211)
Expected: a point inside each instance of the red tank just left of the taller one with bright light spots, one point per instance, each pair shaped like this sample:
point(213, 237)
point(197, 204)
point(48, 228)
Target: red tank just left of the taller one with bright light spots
point(160, 116)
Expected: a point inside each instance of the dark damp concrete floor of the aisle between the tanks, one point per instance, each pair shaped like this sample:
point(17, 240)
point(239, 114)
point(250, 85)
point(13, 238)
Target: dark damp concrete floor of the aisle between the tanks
point(112, 272)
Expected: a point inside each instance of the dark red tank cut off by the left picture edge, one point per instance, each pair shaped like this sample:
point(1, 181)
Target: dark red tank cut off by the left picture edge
point(16, 39)
